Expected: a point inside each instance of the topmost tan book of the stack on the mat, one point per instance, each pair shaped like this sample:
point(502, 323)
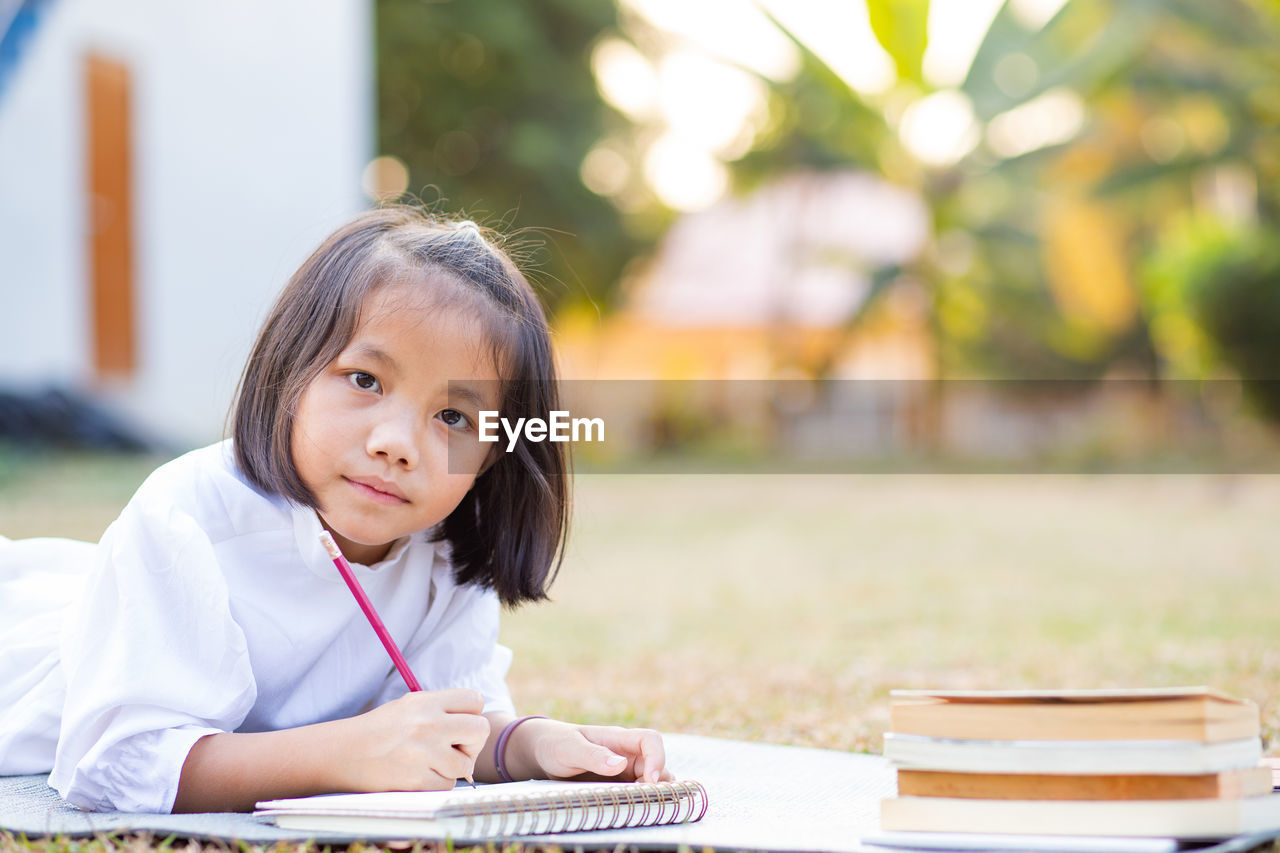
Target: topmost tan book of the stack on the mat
point(1156, 714)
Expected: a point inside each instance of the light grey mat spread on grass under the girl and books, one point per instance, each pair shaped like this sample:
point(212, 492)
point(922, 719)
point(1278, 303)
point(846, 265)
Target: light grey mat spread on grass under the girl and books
point(762, 797)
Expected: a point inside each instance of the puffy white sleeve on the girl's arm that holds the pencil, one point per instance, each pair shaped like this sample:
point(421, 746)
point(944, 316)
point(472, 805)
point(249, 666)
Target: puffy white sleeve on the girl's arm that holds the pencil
point(154, 662)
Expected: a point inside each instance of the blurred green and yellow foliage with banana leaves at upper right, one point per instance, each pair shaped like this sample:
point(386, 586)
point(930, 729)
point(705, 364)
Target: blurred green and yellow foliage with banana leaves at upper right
point(1098, 135)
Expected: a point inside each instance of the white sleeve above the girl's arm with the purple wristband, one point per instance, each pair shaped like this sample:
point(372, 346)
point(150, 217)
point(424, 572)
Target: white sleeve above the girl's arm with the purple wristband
point(460, 650)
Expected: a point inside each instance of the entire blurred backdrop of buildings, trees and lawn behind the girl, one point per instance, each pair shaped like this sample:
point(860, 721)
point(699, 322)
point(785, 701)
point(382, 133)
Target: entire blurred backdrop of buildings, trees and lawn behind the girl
point(975, 230)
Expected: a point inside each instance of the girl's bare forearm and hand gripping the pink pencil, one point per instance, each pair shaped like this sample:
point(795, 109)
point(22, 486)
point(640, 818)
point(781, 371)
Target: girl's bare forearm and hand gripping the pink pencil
point(418, 742)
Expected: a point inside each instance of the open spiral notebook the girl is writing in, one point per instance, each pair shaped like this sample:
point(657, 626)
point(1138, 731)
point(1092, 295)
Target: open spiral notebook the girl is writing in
point(493, 811)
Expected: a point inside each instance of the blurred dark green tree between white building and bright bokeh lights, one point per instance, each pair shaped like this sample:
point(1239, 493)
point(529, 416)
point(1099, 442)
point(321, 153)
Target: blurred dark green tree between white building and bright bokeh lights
point(492, 106)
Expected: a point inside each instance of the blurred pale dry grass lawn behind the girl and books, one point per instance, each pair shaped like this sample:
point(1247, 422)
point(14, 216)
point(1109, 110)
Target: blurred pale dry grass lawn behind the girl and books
point(785, 608)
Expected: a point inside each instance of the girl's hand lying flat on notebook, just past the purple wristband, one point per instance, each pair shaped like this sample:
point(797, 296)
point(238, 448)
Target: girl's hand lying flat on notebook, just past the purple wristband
point(566, 751)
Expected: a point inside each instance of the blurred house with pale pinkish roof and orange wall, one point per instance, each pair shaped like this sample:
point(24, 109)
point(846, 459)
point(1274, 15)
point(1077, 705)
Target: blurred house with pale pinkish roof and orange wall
point(772, 285)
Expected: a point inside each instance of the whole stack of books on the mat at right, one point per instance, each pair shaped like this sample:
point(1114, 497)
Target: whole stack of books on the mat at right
point(1171, 763)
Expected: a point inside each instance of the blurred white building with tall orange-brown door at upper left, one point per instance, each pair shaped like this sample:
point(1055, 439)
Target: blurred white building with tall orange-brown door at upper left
point(164, 167)
